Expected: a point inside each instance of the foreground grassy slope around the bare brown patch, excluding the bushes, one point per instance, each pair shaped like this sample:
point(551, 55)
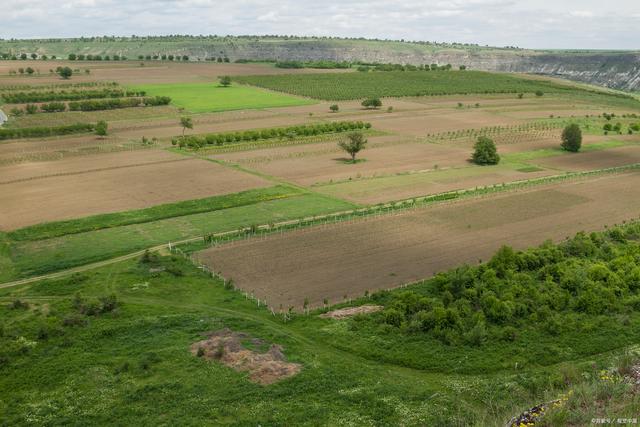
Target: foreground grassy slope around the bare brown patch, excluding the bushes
point(134, 366)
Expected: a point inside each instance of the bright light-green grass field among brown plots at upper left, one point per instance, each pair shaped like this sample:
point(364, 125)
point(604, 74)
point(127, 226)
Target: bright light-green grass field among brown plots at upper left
point(210, 97)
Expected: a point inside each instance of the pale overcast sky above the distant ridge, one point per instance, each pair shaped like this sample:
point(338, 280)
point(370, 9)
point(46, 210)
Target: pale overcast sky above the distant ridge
point(613, 24)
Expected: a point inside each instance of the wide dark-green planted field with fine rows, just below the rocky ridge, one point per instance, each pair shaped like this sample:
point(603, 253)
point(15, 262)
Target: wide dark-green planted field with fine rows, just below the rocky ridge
point(345, 86)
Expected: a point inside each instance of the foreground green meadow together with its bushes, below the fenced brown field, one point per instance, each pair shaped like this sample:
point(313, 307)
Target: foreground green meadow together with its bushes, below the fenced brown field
point(60, 365)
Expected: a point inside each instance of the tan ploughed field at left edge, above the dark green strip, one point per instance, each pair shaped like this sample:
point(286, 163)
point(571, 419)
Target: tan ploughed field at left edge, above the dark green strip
point(117, 189)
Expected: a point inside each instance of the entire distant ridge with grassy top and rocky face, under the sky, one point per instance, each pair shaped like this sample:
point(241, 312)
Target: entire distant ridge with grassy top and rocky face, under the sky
point(617, 70)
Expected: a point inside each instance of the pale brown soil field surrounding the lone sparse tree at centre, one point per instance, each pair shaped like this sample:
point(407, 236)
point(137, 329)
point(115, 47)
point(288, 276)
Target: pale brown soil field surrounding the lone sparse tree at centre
point(322, 163)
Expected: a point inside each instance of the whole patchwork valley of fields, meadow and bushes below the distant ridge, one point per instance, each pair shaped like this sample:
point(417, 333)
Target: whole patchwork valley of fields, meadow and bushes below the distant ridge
point(103, 297)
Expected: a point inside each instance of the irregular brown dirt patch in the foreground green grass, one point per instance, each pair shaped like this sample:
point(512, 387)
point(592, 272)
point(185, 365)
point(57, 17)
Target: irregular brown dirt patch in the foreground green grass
point(227, 347)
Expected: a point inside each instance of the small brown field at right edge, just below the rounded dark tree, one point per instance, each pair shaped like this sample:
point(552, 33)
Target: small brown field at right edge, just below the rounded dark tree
point(594, 160)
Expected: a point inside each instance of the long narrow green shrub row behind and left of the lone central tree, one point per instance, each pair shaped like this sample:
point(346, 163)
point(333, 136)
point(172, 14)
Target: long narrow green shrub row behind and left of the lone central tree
point(220, 139)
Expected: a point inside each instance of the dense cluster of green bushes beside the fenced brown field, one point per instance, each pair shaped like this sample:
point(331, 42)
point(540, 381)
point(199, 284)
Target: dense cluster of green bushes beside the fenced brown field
point(553, 289)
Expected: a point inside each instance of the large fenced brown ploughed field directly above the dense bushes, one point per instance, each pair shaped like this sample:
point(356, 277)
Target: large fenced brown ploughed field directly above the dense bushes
point(384, 252)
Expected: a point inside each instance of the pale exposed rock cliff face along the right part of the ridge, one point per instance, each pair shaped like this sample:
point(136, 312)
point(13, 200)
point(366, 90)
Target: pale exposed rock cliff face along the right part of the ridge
point(613, 70)
